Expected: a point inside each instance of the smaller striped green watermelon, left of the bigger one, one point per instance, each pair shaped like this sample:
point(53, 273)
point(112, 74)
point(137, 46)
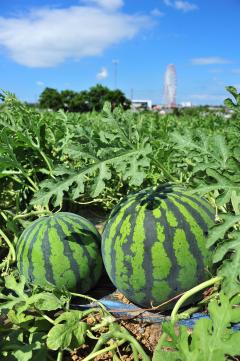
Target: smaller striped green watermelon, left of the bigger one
point(62, 249)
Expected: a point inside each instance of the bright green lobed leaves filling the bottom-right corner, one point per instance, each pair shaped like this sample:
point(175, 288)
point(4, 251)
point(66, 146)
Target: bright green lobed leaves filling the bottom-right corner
point(212, 339)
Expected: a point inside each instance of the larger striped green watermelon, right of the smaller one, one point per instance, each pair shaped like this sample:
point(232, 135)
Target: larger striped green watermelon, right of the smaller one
point(153, 244)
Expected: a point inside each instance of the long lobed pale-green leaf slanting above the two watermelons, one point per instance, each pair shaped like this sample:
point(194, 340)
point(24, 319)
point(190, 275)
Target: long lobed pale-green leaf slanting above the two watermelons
point(75, 183)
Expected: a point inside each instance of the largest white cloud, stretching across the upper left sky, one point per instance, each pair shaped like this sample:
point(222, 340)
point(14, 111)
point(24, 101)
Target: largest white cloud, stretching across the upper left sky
point(46, 37)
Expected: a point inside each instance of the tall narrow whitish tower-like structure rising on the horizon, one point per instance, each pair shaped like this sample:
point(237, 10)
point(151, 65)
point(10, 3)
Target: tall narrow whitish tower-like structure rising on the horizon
point(170, 80)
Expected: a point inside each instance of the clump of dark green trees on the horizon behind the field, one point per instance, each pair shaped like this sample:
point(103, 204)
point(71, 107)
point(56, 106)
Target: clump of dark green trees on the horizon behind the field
point(83, 101)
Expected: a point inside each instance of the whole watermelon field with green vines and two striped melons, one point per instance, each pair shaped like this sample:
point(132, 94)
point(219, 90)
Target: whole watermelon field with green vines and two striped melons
point(150, 201)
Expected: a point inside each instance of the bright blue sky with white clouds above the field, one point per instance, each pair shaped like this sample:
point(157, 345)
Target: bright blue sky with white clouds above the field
point(73, 45)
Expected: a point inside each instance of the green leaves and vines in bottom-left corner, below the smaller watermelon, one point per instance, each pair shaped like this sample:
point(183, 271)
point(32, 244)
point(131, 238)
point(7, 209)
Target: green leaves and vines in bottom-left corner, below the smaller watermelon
point(39, 322)
